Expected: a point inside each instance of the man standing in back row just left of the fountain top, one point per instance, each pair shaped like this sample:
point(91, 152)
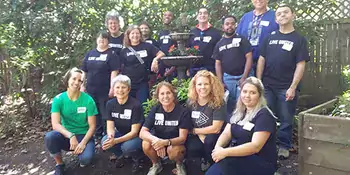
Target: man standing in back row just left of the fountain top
point(165, 42)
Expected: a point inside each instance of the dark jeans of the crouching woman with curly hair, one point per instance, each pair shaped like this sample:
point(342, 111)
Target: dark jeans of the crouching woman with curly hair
point(195, 148)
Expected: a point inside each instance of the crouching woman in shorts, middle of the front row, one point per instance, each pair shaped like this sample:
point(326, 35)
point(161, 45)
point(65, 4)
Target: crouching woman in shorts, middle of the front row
point(169, 122)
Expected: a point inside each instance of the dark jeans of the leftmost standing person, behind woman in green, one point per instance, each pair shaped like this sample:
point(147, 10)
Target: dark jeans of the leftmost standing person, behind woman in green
point(100, 101)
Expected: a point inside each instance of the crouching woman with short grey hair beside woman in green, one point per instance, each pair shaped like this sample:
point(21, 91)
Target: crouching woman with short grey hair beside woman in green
point(124, 120)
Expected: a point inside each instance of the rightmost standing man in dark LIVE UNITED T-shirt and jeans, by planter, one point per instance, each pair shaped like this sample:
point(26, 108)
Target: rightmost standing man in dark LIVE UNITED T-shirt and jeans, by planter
point(281, 66)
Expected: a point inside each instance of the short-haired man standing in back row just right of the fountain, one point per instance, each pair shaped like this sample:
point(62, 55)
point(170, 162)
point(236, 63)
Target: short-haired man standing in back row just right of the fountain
point(205, 37)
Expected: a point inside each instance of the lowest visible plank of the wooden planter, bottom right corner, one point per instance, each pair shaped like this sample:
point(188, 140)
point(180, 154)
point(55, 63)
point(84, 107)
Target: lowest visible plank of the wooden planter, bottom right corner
point(316, 170)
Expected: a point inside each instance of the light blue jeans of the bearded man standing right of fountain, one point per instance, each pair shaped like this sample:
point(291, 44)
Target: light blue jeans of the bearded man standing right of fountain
point(232, 85)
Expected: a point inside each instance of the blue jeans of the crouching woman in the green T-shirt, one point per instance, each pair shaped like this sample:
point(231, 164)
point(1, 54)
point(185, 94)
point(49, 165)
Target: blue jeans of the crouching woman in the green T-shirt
point(55, 142)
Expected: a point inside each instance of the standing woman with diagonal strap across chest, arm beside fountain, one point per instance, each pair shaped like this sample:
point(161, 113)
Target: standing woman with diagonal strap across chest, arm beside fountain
point(137, 58)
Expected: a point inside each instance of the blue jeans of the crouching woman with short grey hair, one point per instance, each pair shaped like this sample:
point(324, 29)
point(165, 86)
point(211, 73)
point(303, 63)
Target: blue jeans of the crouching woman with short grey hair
point(131, 147)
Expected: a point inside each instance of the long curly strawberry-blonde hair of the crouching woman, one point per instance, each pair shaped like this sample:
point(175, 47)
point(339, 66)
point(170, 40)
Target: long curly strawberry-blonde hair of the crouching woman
point(215, 98)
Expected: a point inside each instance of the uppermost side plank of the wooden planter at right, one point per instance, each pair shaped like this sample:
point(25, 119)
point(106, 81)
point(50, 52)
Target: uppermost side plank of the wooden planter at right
point(324, 128)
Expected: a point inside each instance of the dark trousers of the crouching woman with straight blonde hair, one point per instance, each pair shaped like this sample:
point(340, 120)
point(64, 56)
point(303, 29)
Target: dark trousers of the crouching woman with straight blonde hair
point(248, 165)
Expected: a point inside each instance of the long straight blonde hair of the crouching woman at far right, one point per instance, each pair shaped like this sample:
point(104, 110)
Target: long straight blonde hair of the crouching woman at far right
point(240, 111)
